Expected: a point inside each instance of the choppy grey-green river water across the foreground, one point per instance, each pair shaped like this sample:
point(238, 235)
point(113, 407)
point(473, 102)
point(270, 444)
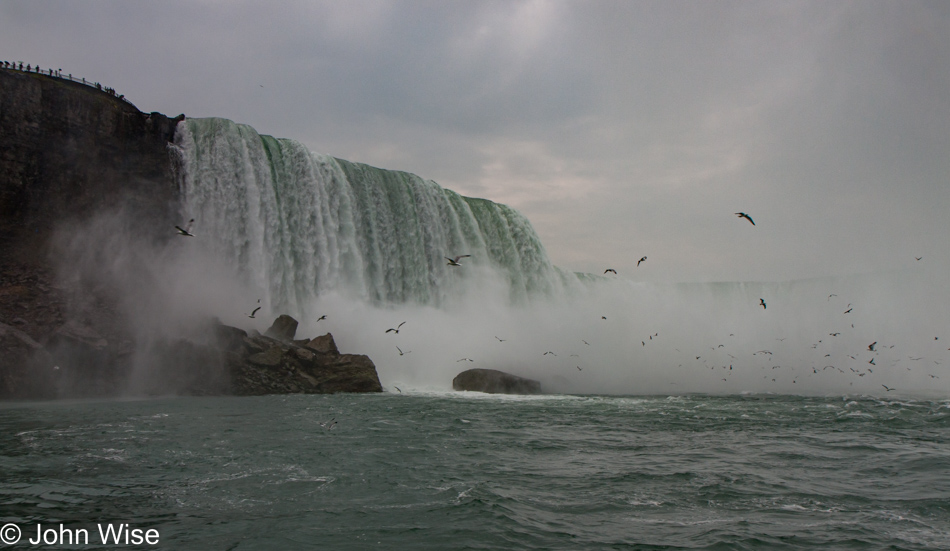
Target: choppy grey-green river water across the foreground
point(468, 471)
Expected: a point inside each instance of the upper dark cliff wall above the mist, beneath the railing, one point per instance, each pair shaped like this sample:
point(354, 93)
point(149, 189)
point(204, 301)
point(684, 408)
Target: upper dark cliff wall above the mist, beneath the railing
point(67, 149)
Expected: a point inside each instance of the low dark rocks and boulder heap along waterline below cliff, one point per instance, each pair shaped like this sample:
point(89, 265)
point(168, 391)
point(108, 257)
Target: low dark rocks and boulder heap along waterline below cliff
point(76, 361)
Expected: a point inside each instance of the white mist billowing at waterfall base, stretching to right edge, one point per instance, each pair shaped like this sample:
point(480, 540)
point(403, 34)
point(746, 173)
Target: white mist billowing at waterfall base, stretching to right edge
point(668, 338)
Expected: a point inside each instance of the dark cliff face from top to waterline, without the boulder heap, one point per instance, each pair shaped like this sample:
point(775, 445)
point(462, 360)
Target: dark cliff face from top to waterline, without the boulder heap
point(68, 152)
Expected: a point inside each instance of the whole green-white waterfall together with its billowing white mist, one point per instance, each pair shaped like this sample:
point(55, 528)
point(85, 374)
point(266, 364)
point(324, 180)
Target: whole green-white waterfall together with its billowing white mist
point(312, 235)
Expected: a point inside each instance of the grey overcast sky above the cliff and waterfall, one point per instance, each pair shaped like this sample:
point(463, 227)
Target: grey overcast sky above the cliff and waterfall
point(621, 129)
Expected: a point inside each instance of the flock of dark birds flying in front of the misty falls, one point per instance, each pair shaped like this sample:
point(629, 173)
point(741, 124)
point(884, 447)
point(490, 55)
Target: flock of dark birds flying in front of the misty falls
point(851, 363)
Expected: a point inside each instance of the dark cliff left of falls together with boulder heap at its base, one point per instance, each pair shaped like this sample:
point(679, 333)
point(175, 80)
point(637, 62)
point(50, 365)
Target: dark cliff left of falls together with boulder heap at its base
point(71, 156)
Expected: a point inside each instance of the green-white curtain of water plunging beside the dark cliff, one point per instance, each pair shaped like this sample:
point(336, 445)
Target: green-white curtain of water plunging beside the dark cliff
point(298, 224)
